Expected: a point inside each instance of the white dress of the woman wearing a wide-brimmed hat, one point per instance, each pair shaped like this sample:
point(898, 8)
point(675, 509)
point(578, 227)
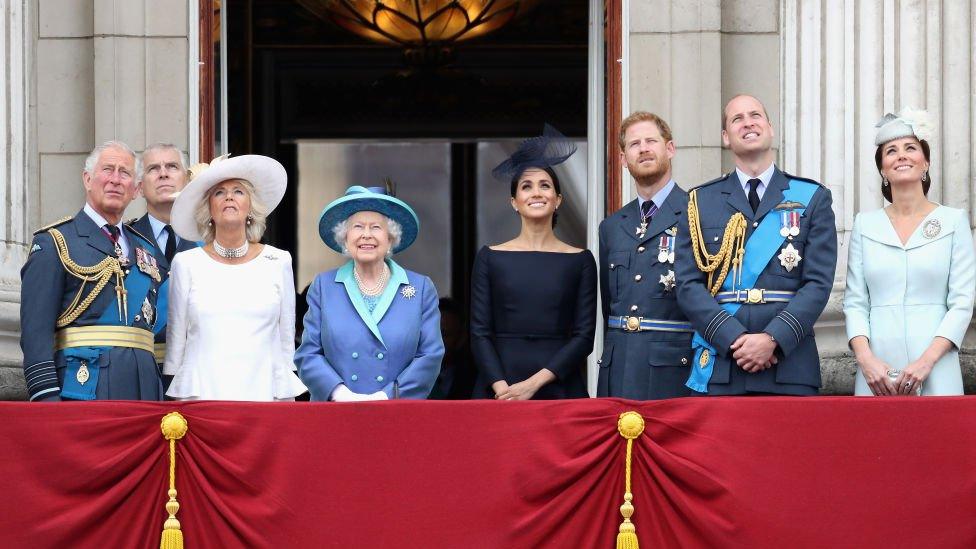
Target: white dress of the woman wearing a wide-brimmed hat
point(230, 334)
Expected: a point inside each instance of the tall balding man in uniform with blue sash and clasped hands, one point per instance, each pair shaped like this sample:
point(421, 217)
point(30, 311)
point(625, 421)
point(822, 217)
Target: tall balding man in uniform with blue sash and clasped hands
point(760, 252)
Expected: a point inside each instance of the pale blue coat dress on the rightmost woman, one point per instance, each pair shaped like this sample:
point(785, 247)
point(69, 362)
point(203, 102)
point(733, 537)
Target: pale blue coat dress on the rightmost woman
point(901, 297)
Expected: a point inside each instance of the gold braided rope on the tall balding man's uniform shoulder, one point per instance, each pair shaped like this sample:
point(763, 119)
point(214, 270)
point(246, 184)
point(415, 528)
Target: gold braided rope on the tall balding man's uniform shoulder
point(731, 252)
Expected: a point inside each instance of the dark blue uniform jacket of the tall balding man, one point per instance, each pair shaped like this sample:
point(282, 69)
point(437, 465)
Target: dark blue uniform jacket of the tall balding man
point(790, 323)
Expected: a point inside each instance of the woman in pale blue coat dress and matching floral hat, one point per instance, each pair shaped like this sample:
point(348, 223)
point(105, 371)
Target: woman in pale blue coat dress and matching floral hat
point(911, 274)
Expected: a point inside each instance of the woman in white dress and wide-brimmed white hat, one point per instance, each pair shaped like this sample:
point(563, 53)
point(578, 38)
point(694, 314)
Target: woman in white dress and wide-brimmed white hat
point(231, 327)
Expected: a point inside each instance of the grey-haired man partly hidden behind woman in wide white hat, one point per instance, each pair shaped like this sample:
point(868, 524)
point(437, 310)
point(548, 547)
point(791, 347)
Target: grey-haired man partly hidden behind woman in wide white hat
point(164, 174)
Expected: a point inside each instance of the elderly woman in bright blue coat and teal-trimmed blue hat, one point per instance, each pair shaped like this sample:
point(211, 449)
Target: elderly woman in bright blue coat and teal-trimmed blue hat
point(372, 331)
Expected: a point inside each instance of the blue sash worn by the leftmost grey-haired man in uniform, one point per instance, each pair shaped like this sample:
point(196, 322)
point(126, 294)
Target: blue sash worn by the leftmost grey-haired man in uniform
point(137, 284)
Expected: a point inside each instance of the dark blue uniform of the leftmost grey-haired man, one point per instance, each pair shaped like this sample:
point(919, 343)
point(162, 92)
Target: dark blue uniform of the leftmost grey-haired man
point(47, 290)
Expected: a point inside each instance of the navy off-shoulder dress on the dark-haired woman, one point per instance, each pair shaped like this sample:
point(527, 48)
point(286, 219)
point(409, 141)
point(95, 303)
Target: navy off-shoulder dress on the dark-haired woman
point(533, 310)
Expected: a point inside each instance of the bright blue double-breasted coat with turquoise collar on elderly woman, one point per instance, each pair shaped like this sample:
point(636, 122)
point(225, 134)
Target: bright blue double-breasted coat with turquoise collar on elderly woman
point(396, 349)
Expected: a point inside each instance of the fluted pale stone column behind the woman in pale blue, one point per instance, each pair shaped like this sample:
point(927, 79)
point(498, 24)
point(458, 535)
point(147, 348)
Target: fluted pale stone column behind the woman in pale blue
point(845, 64)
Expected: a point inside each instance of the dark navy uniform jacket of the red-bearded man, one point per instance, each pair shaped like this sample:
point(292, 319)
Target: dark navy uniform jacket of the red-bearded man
point(649, 364)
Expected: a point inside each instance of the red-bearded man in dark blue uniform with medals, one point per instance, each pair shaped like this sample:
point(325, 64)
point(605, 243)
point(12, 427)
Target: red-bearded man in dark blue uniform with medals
point(647, 347)
